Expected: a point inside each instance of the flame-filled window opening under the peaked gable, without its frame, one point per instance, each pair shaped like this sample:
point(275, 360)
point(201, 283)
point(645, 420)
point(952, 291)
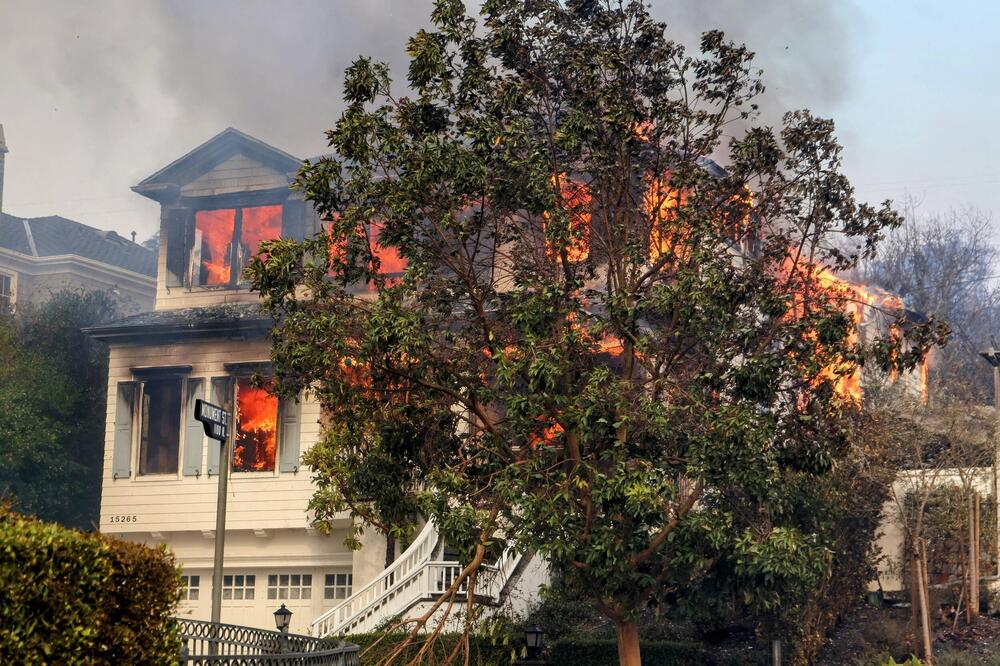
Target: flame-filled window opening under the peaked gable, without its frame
point(226, 239)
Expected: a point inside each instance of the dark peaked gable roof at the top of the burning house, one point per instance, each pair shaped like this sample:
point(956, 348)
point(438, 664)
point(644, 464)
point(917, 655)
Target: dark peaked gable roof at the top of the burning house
point(210, 154)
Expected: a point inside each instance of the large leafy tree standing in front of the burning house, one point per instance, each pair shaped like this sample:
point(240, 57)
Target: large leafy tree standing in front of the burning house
point(603, 348)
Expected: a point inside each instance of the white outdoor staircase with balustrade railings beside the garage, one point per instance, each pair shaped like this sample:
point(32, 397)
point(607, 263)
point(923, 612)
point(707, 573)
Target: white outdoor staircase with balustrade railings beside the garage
point(415, 577)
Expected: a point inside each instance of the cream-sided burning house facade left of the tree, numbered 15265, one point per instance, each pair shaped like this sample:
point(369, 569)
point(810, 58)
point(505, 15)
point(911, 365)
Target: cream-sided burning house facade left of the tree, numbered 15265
point(204, 339)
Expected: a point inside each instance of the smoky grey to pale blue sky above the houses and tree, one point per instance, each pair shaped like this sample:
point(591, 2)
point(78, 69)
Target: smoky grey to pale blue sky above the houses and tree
point(96, 95)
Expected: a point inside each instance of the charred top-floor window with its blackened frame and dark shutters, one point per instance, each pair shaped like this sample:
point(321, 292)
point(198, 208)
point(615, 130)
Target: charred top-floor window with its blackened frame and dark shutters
point(188, 240)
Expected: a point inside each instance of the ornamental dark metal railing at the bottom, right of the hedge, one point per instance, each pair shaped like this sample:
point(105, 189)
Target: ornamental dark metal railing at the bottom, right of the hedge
point(212, 644)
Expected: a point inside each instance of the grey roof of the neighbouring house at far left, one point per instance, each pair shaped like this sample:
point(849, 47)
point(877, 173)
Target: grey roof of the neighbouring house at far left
point(57, 236)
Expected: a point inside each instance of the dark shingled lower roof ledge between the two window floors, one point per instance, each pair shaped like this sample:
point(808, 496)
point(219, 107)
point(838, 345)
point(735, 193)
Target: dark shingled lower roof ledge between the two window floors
point(224, 320)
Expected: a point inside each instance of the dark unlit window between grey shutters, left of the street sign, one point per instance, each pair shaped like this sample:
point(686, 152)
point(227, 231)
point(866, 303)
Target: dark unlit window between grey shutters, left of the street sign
point(160, 423)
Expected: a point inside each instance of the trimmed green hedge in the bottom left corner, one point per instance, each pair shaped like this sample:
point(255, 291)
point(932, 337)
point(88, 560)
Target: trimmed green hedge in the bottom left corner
point(75, 598)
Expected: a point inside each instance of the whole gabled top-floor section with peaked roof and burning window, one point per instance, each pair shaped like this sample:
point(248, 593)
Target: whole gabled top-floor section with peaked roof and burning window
point(218, 202)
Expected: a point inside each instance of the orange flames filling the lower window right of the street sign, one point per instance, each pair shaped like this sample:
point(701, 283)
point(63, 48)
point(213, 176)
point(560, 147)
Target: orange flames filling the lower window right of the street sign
point(256, 428)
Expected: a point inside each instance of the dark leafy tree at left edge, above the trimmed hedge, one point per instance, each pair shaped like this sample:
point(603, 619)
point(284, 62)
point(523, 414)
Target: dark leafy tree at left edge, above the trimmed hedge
point(53, 380)
